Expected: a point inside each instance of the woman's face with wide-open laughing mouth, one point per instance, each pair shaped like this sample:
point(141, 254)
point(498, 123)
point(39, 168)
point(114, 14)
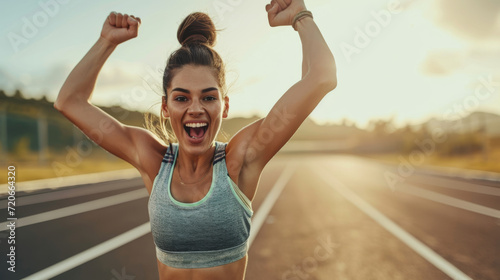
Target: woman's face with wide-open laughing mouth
point(195, 107)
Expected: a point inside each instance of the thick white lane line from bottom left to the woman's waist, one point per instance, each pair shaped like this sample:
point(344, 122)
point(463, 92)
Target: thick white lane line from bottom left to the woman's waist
point(91, 253)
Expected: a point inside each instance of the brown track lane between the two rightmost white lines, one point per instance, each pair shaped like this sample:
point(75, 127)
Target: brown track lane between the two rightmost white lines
point(464, 238)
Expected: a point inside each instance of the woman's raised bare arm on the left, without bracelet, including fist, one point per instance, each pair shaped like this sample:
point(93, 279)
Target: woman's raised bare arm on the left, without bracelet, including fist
point(73, 101)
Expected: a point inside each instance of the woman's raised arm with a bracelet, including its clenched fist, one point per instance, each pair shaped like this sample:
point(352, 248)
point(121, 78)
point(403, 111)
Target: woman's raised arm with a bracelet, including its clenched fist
point(264, 138)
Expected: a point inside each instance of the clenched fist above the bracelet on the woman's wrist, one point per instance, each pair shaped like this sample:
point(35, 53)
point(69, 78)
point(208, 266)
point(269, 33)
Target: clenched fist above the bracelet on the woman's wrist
point(282, 12)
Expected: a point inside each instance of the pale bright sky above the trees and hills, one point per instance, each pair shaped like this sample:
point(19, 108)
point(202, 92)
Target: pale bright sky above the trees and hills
point(407, 60)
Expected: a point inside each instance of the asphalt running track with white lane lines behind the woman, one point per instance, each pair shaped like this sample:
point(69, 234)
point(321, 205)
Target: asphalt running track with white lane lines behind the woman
point(321, 216)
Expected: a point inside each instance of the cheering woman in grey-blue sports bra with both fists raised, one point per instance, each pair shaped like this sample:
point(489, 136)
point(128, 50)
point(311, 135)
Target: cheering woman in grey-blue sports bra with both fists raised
point(200, 190)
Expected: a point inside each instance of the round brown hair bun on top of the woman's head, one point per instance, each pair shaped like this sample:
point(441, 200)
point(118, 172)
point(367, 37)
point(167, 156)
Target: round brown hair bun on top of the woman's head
point(197, 27)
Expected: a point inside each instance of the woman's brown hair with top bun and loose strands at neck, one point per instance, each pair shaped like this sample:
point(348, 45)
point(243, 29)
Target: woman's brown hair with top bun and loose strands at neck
point(197, 36)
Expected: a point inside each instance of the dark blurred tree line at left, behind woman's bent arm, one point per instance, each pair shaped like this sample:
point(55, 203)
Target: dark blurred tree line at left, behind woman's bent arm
point(34, 126)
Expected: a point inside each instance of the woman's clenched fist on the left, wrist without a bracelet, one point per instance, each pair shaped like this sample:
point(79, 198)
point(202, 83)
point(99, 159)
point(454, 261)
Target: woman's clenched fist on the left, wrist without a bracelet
point(119, 28)
